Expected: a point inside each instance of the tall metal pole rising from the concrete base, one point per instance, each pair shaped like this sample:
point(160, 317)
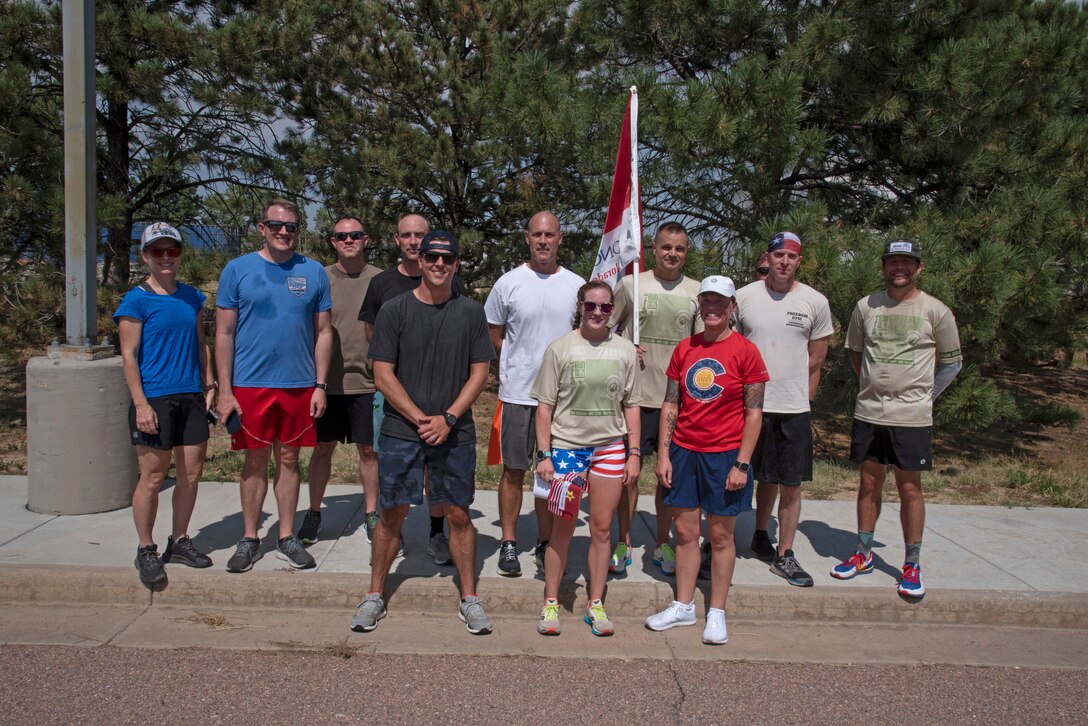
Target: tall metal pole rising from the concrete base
point(81, 233)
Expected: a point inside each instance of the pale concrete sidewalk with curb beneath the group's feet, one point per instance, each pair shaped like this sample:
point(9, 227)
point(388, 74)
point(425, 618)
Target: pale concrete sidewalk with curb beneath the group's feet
point(982, 565)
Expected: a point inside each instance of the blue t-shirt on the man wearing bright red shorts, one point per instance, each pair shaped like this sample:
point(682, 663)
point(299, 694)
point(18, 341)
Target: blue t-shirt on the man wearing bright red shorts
point(274, 341)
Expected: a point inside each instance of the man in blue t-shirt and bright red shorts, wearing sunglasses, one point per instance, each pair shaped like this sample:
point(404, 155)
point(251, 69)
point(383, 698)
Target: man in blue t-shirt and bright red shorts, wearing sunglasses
point(274, 343)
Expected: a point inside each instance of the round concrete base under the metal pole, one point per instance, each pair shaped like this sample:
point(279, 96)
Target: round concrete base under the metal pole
point(79, 458)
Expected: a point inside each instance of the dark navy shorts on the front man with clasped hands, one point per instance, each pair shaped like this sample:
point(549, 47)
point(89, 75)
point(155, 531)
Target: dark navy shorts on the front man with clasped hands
point(451, 473)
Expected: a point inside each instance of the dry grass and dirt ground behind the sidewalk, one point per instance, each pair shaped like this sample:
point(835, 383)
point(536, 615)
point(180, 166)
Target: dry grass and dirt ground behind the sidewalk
point(1006, 465)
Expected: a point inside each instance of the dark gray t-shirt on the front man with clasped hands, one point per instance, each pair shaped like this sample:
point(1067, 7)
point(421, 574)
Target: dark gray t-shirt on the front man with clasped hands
point(432, 349)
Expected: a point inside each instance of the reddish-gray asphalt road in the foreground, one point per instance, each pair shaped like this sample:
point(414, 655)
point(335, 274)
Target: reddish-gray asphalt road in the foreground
point(54, 685)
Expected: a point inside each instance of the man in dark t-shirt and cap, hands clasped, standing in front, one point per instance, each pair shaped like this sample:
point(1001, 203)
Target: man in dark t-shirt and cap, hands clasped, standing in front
point(431, 351)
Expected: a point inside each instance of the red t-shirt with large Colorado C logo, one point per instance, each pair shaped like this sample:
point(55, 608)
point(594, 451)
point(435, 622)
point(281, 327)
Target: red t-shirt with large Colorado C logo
point(712, 379)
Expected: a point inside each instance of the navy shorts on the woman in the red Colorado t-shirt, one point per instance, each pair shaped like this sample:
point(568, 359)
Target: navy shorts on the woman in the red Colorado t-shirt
point(699, 481)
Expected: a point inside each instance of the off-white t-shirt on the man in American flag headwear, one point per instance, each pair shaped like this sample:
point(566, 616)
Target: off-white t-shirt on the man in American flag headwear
point(782, 325)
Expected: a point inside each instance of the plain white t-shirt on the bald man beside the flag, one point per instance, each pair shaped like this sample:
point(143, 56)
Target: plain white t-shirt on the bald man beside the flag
point(536, 310)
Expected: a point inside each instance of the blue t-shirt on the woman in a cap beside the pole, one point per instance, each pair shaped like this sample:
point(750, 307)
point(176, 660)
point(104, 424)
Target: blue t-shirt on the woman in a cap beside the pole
point(169, 354)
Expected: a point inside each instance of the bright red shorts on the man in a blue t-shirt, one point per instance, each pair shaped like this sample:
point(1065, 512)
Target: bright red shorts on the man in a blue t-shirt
point(270, 415)
